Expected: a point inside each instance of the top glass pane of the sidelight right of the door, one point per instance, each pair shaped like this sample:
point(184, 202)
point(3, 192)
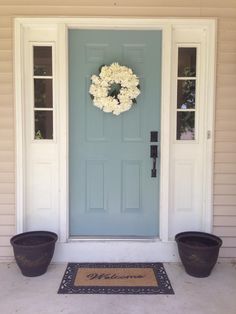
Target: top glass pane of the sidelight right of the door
point(187, 62)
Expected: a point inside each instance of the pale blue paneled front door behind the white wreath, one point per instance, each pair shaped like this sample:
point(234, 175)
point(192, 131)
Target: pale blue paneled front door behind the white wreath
point(111, 191)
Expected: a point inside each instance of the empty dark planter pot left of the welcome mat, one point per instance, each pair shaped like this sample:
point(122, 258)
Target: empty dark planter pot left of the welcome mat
point(34, 251)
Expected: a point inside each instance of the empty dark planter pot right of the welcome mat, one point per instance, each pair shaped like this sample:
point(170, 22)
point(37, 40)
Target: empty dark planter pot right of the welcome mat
point(198, 252)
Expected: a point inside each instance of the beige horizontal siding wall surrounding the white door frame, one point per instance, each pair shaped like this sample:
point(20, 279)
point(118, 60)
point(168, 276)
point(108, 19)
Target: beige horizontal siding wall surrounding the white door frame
point(225, 131)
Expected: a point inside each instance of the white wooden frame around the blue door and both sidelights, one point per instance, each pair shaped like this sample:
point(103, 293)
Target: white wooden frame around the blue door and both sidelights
point(61, 25)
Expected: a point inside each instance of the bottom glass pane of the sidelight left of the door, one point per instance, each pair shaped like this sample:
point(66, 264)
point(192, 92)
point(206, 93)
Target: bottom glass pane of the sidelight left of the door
point(43, 125)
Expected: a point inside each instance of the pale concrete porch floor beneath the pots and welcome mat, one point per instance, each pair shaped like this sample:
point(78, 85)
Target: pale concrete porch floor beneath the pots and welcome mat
point(212, 295)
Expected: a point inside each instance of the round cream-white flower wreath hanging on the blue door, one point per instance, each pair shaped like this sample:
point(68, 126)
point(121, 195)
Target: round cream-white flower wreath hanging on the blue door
point(115, 89)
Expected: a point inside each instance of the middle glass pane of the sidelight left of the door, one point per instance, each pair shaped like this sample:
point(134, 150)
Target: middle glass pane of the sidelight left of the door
point(43, 93)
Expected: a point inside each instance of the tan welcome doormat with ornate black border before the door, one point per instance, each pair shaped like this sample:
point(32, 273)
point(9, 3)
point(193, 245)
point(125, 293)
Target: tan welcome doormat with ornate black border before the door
point(115, 278)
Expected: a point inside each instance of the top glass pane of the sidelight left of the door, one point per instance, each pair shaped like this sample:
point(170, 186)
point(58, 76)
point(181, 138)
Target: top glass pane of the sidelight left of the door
point(42, 60)
